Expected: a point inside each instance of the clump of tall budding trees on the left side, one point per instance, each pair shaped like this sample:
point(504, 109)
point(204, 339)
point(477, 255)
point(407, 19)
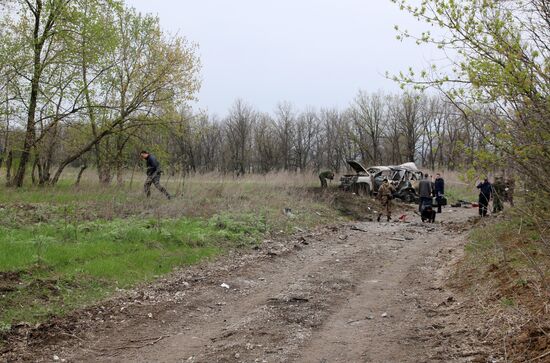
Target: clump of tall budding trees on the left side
point(91, 69)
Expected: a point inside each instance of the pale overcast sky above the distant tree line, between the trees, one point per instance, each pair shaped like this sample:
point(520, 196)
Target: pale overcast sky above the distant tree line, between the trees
point(315, 53)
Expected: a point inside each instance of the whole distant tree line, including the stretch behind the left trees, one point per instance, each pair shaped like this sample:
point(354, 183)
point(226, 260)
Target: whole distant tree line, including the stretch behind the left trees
point(377, 129)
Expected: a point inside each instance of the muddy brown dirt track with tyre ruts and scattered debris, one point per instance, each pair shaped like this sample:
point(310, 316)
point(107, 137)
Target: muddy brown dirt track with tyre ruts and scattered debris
point(361, 292)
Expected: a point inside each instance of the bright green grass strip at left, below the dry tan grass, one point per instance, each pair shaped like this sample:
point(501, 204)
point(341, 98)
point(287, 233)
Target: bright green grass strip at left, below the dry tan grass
point(61, 267)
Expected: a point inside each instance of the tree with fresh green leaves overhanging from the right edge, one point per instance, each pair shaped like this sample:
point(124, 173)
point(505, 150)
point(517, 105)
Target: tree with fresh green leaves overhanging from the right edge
point(499, 57)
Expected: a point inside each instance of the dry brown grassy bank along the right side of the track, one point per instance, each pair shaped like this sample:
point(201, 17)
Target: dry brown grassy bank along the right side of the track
point(506, 270)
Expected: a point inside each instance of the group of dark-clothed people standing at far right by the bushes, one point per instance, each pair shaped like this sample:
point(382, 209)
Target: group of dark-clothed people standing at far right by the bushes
point(500, 191)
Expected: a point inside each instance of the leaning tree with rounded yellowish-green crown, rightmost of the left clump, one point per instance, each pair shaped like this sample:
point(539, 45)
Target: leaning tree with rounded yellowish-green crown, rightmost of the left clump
point(135, 81)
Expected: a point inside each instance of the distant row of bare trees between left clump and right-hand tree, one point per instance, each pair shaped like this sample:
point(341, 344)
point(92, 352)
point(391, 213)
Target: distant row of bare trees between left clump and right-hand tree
point(376, 129)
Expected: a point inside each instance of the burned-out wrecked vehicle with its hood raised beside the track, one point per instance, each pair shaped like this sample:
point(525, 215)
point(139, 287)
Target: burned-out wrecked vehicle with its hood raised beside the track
point(404, 177)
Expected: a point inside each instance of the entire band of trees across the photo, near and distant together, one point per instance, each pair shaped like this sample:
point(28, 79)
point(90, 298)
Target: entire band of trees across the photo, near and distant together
point(92, 82)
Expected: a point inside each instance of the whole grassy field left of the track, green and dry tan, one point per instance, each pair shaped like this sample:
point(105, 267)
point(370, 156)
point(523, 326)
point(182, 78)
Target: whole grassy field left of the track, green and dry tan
point(64, 248)
